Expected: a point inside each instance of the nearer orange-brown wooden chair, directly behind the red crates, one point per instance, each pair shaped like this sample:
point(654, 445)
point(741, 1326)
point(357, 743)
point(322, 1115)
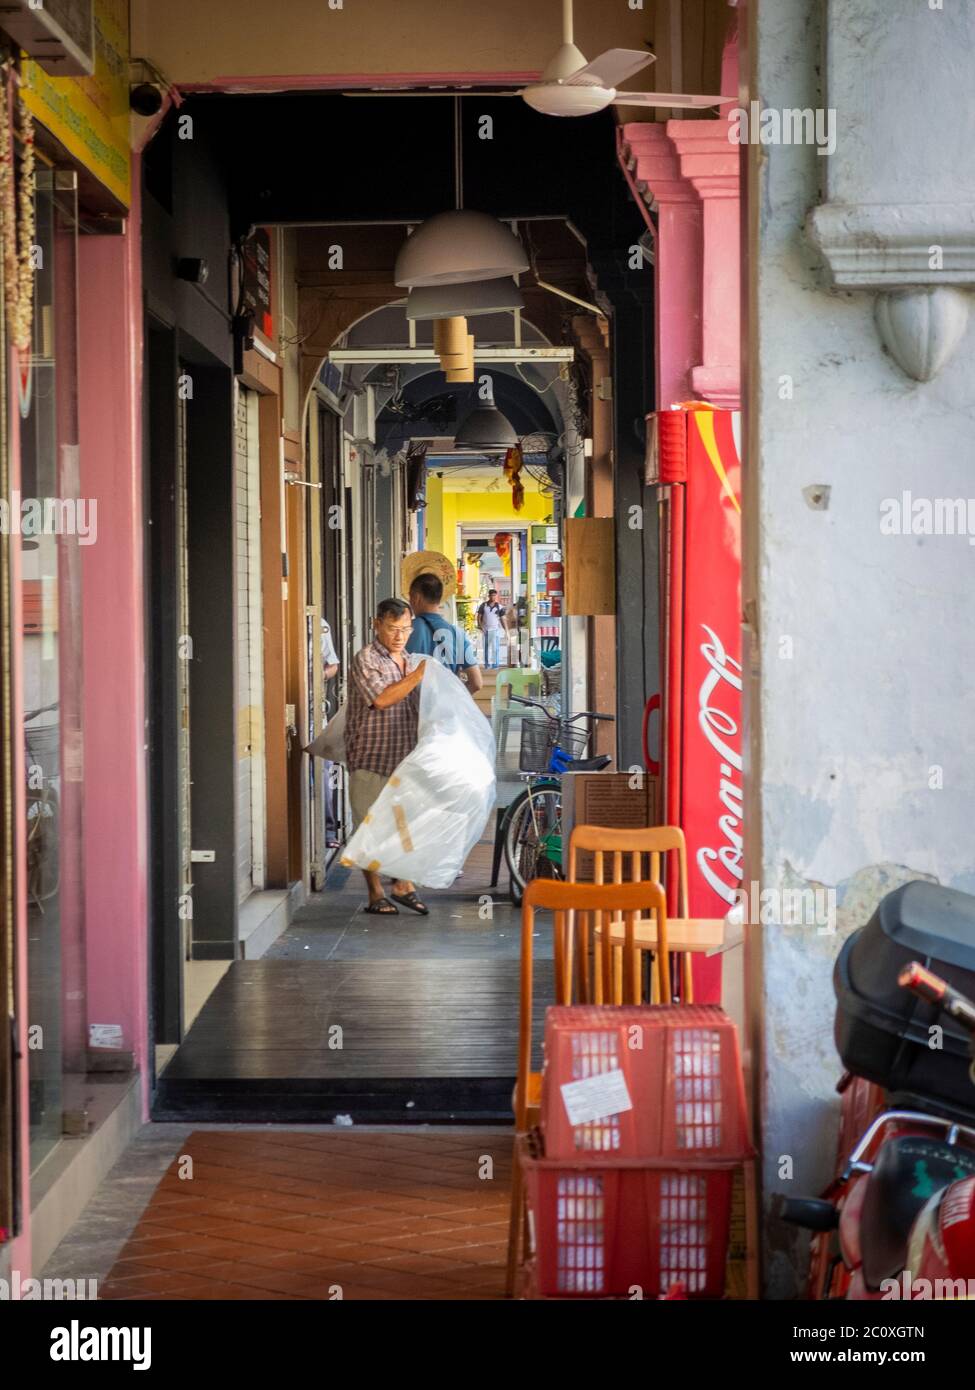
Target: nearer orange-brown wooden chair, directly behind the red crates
point(571, 904)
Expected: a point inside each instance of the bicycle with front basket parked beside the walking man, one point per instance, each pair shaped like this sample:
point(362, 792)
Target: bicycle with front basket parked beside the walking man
point(533, 822)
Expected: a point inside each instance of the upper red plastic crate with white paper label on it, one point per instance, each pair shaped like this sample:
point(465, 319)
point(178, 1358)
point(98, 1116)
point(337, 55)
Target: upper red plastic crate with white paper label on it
point(681, 1071)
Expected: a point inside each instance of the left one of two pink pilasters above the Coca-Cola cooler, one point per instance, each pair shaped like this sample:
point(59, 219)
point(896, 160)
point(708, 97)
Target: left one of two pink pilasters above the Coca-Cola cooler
point(679, 258)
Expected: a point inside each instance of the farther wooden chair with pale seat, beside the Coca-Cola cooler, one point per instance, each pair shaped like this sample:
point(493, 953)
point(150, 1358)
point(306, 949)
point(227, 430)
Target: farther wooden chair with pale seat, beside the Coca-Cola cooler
point(684, 933)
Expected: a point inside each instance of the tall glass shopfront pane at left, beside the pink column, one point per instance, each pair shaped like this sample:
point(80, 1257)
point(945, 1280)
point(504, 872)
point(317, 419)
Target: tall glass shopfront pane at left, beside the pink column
point(52, 678)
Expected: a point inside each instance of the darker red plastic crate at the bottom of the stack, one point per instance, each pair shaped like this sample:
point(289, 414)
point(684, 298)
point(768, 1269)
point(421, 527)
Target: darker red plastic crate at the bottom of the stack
point(615, 1228)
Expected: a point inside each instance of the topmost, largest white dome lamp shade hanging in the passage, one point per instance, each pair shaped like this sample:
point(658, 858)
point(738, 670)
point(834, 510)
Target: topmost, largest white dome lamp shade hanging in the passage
point(460, 247)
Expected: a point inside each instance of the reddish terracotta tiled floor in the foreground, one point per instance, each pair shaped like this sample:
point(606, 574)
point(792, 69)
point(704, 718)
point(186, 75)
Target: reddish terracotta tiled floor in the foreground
point(290, 1216)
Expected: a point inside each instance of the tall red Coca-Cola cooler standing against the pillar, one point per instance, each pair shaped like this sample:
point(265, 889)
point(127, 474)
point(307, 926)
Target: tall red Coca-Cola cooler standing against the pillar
point(693, 458)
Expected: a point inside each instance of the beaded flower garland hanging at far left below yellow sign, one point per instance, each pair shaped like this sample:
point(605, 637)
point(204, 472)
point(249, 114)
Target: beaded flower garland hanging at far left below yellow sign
point(17, 223)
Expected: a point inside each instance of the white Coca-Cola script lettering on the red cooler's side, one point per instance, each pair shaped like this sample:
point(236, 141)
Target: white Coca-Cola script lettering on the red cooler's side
point(721, 864)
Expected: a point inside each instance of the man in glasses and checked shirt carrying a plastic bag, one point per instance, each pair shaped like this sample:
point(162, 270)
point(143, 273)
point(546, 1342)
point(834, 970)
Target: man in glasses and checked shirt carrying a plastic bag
point(382, 729)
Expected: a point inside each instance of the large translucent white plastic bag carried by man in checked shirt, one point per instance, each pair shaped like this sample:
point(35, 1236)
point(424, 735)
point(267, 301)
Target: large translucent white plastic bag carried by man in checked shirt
point(433, 811)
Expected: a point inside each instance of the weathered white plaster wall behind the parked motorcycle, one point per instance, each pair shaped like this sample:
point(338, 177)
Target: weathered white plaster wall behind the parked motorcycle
point(878, 689)
